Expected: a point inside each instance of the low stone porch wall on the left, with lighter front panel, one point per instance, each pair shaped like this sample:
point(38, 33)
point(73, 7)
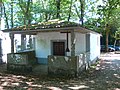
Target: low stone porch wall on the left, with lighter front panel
point(21, 61)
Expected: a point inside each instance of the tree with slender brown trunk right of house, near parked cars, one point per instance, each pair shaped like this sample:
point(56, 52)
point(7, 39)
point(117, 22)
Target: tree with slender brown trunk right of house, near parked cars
point(107, 15)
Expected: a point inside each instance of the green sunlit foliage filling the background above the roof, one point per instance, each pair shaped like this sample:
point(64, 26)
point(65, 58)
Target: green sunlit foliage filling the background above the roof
point(45, 10)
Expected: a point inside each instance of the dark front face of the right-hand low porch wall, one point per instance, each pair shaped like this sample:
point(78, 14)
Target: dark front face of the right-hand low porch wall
point(60, 65)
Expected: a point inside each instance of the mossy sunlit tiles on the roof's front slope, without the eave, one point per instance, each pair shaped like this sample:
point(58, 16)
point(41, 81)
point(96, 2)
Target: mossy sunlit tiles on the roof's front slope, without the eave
point(47, 25)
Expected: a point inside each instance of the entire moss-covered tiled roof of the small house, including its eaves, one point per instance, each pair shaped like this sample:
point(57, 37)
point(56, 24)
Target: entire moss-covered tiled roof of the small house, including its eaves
point(50, 26)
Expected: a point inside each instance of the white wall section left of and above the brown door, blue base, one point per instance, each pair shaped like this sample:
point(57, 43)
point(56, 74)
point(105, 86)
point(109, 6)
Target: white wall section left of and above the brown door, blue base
point(43, 44)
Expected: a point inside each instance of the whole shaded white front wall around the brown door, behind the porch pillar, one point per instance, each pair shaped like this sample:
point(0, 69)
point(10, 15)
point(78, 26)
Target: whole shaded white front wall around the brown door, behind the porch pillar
point(43, 44)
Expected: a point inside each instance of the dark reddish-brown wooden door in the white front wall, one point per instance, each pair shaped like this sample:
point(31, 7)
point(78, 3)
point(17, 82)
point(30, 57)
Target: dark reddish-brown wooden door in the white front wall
point(59, 48)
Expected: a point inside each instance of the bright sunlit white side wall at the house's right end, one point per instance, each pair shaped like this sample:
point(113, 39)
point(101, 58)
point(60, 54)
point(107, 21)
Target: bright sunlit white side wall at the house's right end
point(94, 46)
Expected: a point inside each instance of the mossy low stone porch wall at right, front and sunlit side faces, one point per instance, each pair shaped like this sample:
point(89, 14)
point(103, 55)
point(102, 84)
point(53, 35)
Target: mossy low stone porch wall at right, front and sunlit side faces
point(68, 65)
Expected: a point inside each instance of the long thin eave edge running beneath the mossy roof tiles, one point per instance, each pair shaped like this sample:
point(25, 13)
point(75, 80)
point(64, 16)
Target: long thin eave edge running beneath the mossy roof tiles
point(62, 29)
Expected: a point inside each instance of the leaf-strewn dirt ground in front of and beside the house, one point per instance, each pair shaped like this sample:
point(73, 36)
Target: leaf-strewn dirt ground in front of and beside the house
point(104, 76)
